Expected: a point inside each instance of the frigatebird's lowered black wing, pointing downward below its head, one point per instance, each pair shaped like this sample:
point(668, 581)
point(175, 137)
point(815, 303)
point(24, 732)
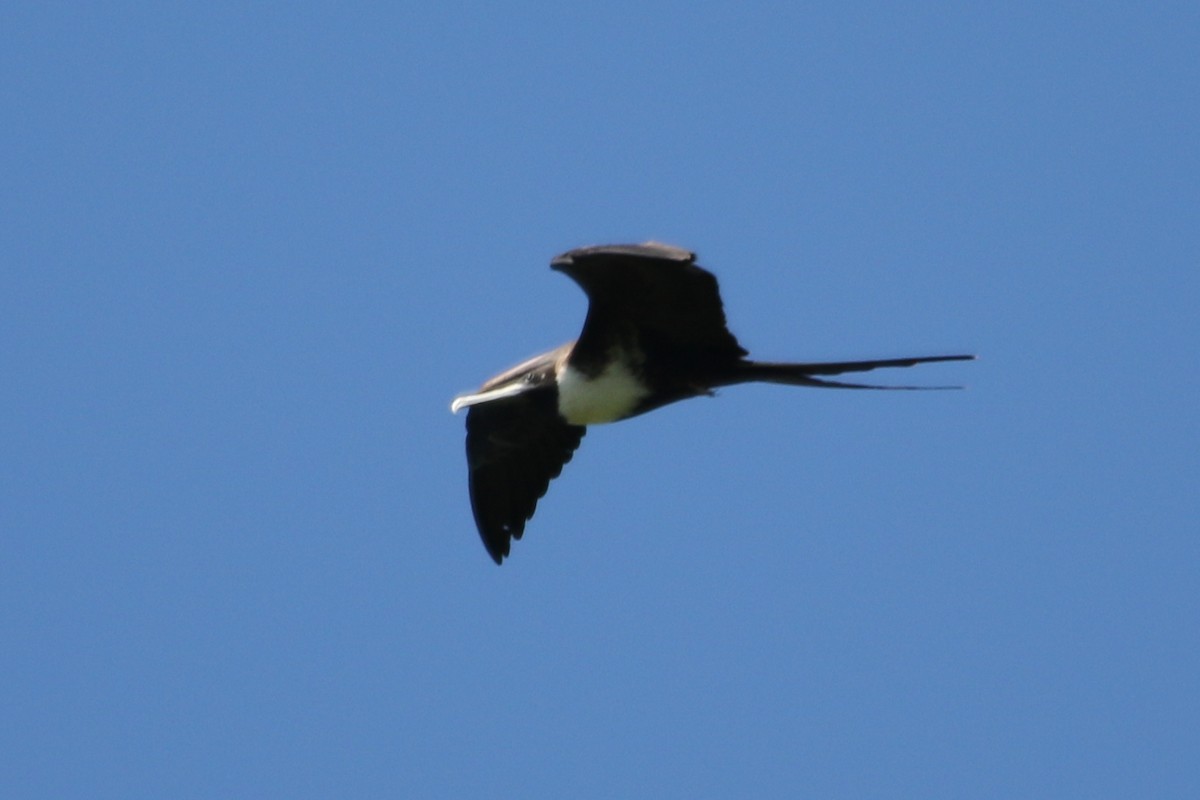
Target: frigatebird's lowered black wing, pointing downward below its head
point(515, 447)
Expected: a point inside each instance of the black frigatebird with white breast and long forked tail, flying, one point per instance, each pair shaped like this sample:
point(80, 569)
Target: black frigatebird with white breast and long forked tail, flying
point(655, 334)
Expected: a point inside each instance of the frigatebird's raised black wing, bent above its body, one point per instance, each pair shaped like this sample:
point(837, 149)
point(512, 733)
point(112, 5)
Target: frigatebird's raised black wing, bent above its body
point(658, 290)
